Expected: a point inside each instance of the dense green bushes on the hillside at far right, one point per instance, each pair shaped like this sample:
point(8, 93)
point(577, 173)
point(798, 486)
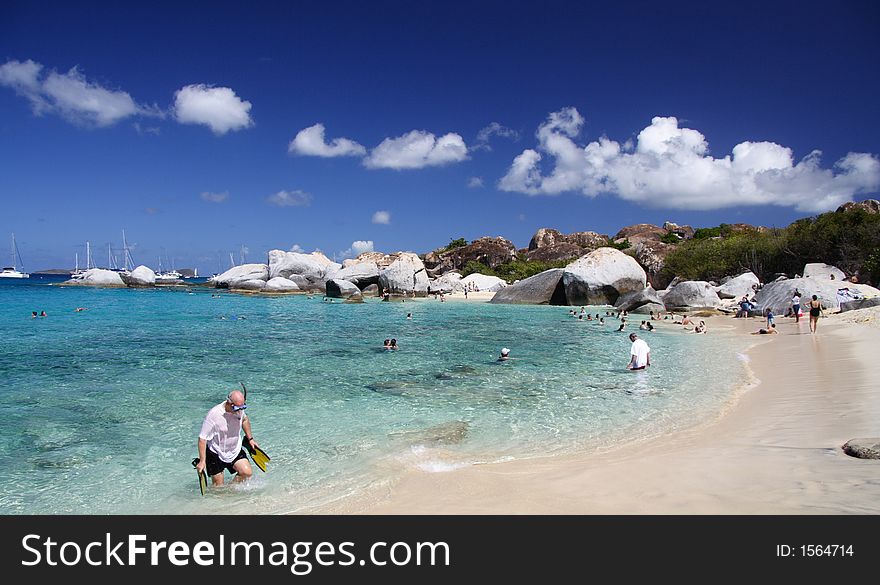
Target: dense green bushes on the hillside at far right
point(848, 240)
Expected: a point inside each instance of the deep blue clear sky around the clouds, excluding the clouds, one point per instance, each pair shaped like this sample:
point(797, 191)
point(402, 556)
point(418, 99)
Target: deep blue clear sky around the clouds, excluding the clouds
point(803, 75)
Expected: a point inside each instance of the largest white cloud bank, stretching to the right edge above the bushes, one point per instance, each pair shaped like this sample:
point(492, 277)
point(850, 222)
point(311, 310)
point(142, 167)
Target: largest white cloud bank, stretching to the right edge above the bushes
point(670, 167)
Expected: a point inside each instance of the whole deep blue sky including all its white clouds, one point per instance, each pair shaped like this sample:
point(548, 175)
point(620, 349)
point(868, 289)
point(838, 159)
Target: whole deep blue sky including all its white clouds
point(193, 125)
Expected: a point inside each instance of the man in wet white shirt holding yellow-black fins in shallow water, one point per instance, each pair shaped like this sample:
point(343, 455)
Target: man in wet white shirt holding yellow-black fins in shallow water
point(220, 440)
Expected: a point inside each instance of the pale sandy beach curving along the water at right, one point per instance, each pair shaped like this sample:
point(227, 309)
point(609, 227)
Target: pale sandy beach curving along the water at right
point(775, 450)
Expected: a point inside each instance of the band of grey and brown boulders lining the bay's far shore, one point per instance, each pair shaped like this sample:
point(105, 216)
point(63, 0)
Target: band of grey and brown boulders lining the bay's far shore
point(592, 269)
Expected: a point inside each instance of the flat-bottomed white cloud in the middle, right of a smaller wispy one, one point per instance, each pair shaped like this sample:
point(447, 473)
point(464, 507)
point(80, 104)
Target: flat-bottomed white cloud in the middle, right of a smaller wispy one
point(416, 150)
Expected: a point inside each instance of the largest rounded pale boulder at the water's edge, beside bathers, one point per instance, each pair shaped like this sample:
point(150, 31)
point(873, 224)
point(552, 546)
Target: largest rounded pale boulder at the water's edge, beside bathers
point(601, 277)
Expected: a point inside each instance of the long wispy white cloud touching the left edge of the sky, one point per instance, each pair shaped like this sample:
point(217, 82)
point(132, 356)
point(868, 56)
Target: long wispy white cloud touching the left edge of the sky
point(70, 95)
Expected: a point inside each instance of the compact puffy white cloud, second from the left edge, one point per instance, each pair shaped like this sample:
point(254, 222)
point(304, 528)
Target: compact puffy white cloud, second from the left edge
point(216, 107)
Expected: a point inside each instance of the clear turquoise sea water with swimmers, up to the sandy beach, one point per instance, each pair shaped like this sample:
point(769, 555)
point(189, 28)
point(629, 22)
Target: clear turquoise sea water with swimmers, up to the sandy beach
point(104, 406)
